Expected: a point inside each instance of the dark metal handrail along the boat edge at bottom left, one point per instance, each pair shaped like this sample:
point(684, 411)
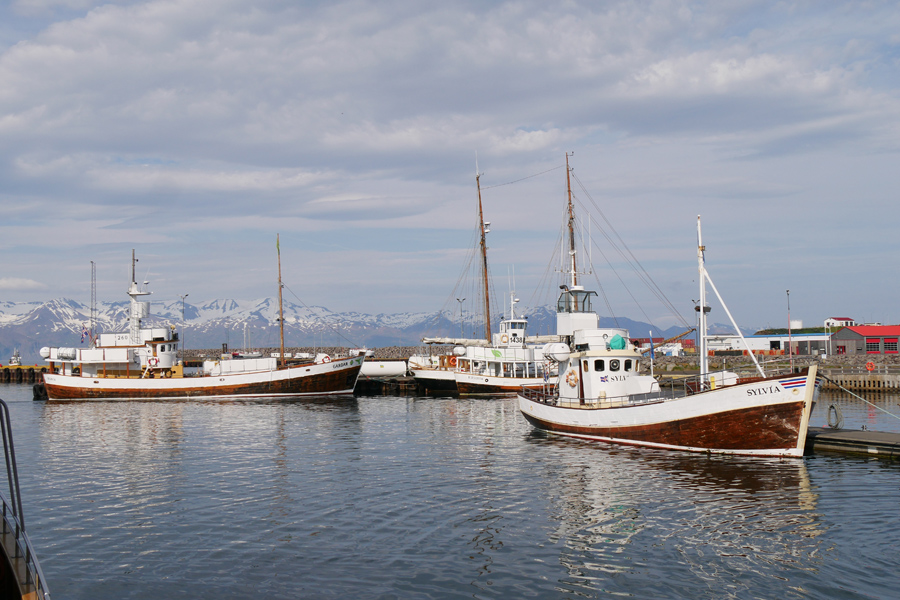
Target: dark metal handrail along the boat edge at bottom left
point(13, 517)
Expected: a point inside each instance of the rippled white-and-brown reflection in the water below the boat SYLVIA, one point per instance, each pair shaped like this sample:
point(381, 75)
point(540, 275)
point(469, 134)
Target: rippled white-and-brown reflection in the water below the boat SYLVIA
point(715, 517)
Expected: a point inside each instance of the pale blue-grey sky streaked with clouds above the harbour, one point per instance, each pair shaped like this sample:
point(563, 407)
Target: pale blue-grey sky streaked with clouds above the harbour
point(194, 131)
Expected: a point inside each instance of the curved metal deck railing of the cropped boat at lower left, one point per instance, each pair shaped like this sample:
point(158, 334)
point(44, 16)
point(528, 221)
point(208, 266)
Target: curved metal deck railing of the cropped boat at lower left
point(16, 542)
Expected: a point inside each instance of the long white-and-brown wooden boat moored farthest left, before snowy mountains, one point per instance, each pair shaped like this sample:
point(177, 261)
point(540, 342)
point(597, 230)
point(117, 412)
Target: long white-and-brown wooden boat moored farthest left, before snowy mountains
point(142, 363)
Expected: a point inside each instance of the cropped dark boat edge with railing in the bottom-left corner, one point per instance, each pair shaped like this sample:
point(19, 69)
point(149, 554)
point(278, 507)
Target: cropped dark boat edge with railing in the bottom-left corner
point(21, 576)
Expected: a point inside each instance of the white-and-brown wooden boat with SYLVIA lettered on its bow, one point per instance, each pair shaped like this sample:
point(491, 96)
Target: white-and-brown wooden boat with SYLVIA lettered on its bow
point(602, 396)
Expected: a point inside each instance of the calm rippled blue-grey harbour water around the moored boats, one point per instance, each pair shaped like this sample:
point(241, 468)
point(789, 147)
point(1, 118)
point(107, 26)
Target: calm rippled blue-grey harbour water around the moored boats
point(435, 498)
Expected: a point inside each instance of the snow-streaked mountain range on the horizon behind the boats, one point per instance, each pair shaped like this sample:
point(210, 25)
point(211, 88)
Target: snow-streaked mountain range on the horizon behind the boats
point(28, 326)
